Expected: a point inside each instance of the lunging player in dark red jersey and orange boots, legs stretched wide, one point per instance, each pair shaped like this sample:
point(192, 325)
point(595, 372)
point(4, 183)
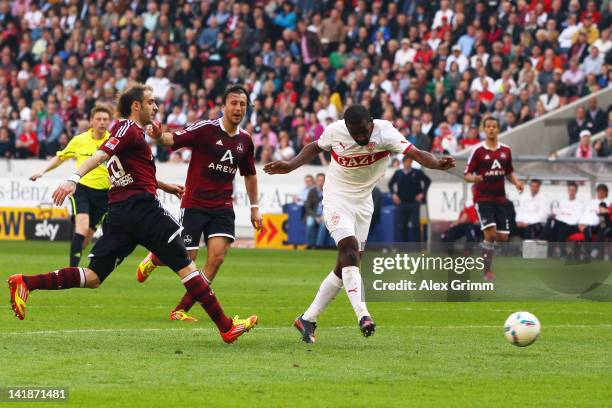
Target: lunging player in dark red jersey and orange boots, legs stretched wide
point(135, 216)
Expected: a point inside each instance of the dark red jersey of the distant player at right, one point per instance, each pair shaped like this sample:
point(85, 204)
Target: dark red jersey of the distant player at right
point(493, 166)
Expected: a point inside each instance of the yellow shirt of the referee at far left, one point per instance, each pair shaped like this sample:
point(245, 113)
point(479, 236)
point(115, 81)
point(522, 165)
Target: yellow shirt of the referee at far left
point(81, 148)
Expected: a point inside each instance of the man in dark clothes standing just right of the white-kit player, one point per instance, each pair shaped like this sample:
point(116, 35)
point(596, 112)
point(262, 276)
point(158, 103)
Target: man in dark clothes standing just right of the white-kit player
point(408, 188)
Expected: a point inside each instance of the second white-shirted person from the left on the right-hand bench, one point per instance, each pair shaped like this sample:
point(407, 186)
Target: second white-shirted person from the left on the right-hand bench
point(564, 220)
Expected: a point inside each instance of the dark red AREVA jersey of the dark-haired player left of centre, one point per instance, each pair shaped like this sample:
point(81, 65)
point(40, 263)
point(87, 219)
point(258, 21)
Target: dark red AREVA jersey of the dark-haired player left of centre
point(216, 157)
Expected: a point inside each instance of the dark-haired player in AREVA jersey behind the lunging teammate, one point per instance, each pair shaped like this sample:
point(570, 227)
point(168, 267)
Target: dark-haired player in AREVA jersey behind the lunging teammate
point(219, 149)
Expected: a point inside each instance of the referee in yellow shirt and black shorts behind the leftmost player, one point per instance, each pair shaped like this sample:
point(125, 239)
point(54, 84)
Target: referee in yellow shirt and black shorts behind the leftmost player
point(90, 200)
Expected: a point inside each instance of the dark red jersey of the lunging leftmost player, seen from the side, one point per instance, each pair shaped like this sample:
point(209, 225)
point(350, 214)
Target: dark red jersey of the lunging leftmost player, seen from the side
point(131, 167)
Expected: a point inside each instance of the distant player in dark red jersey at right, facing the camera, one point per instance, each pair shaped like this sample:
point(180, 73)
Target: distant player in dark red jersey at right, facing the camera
point(488, 167)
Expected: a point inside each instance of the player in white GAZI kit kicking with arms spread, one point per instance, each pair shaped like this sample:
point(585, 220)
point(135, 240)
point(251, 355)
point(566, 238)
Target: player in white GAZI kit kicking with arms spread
point(360, 148)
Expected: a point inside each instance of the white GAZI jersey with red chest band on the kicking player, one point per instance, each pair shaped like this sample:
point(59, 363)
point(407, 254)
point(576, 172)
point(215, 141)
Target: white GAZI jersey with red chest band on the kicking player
point(355, 169)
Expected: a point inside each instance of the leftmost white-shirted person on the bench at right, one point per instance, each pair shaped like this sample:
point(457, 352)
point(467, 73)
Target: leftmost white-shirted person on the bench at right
point(532, 211)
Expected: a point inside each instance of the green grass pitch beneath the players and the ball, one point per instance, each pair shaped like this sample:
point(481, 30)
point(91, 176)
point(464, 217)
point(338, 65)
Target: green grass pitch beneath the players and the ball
point(114, 346)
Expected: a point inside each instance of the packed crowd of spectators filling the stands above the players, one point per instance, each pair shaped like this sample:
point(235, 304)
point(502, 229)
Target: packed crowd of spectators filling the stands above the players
point(433, 68)
